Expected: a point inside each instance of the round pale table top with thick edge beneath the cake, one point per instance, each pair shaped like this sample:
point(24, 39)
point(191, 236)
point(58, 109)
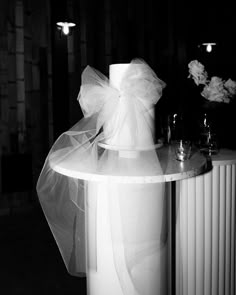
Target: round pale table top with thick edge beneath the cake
point(172, 169)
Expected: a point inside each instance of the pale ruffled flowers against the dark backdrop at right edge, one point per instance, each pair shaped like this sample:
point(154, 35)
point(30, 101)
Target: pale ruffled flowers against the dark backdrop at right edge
point(215, 89)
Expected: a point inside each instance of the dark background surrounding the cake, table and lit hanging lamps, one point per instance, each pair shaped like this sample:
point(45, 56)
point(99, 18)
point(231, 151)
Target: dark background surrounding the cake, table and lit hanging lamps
point(166, 34)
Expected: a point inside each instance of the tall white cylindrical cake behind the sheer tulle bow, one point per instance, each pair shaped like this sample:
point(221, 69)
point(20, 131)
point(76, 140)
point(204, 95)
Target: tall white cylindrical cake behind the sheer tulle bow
point(131, 125)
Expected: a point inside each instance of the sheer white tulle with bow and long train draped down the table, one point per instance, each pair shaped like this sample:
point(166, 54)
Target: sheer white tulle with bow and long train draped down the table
point(112, 144)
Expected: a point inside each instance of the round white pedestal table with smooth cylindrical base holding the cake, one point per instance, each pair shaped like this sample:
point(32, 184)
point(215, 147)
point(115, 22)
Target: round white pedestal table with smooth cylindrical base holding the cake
point(103, 213)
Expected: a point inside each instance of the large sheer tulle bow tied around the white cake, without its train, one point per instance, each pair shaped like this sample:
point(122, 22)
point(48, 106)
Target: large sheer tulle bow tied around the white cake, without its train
point(138, 91)
